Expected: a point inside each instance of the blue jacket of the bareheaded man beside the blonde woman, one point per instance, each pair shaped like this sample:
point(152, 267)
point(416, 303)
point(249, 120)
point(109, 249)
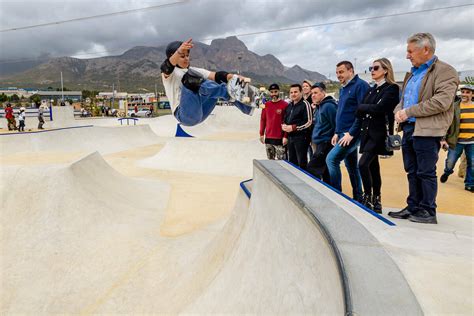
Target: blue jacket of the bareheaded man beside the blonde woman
point(349, 98)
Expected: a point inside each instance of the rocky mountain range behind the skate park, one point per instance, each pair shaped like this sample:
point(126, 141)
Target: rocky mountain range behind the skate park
point(138, 69)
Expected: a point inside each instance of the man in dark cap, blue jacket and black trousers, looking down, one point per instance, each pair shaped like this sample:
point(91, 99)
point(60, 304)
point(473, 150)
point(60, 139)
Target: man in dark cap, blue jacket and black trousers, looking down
point(324, 126)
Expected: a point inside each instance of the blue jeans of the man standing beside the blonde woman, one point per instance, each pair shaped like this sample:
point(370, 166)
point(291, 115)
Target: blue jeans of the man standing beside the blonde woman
point(349, 155)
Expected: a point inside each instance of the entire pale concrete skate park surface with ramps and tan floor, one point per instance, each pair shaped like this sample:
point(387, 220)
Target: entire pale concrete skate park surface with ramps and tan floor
point(99, 218)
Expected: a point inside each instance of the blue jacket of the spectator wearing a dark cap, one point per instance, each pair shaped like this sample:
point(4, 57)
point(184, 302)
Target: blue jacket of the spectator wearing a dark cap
point(324, 121)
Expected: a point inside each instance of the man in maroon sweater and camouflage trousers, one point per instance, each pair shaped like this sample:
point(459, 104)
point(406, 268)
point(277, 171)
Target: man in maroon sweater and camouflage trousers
point(271, 133)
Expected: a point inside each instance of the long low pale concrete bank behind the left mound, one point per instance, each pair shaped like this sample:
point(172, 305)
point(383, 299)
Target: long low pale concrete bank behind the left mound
point(81, 138)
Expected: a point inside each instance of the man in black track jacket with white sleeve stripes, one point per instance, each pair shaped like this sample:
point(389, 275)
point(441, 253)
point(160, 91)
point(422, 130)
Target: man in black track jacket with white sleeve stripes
point(297, 121)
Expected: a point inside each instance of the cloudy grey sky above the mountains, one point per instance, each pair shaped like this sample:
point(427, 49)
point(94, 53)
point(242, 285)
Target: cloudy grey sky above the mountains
point(316, 48)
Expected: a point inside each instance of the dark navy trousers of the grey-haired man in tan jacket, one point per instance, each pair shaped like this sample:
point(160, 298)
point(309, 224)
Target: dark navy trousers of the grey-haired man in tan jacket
point(420, 155)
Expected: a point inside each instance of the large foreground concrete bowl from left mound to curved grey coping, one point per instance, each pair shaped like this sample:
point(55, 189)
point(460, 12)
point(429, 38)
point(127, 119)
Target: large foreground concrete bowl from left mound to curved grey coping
point(69, 247)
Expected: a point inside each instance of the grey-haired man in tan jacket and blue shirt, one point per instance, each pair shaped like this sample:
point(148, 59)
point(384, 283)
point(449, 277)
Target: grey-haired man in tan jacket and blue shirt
point(424, 113)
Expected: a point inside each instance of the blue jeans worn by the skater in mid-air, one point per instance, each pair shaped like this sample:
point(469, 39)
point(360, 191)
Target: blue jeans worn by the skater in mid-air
point(194, 108)
